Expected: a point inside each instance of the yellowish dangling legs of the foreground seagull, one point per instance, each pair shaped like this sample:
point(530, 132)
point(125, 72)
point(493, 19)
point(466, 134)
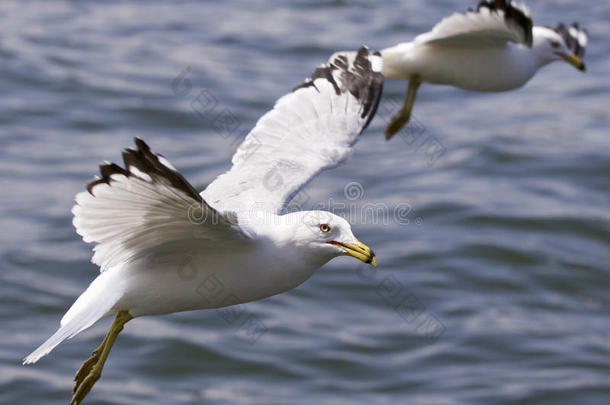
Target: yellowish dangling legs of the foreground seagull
point(91, 370)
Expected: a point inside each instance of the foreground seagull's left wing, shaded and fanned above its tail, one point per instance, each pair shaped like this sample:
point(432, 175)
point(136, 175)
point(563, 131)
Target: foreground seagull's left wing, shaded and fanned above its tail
point(146, 206)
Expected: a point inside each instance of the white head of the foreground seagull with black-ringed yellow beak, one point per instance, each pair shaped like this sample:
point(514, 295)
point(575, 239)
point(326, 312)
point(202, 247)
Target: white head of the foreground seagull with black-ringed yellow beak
point(326, 235)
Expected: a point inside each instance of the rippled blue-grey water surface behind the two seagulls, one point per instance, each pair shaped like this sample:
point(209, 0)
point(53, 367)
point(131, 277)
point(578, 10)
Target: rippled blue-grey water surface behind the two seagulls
point(493, 246)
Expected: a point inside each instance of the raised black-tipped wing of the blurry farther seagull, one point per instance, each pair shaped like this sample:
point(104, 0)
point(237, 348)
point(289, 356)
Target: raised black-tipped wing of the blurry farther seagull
point(494, 22)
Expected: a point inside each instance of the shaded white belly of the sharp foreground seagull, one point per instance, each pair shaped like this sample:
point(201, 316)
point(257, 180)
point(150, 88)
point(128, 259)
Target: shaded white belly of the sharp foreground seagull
point(200, 280)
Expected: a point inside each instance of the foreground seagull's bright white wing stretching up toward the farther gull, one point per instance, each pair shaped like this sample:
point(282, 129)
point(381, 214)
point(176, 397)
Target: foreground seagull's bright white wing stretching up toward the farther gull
point(310, 129)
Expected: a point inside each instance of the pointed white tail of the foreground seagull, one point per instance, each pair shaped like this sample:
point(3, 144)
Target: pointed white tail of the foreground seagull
point(93, 304)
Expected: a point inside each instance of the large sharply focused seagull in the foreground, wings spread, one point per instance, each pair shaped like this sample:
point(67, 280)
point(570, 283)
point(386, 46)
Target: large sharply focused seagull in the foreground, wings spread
point(149, 223)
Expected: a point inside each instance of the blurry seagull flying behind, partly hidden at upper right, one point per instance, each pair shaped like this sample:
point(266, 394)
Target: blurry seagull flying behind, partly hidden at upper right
point(491, 49)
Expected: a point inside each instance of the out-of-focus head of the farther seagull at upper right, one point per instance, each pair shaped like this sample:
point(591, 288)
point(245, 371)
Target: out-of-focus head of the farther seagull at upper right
point(561, 43)
